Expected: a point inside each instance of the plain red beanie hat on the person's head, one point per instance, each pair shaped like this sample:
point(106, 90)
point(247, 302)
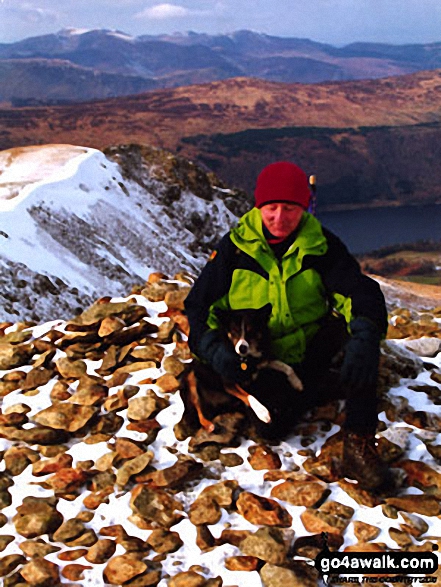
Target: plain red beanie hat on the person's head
point(282, 182)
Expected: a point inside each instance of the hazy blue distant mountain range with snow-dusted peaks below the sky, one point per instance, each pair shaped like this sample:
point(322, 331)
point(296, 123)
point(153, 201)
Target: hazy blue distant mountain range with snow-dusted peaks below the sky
point(76, 65)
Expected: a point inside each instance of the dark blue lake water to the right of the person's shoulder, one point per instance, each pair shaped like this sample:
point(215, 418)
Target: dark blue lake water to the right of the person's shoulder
point(366, 230)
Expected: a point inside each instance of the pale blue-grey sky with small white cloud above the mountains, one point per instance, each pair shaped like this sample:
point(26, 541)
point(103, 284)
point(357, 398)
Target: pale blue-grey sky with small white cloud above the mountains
point(332, 21)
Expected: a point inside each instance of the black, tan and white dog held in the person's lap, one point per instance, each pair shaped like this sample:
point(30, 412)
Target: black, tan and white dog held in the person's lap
point(207, 393)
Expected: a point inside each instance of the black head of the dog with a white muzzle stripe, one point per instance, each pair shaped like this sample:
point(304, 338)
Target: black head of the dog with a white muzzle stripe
point(247, 330)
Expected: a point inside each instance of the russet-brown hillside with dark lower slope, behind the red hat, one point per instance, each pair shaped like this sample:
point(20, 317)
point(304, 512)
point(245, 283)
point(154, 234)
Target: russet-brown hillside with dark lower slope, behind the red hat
point(370, 142)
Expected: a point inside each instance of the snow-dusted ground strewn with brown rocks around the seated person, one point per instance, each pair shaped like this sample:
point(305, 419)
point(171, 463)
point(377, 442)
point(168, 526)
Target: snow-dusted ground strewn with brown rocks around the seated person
point(101, 484)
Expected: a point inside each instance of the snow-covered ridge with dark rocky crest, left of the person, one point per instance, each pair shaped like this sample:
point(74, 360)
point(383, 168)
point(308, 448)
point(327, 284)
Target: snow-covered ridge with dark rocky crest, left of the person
point(76, 224)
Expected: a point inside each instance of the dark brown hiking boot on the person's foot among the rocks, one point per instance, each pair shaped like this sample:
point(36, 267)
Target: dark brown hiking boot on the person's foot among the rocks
point(362, 462)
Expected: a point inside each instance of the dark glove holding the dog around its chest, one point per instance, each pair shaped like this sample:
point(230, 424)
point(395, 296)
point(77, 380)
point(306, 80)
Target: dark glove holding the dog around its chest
point(224, 359)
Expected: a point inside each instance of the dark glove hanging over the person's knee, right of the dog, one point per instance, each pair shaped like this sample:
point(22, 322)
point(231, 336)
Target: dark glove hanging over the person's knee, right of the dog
point(362, 354)
